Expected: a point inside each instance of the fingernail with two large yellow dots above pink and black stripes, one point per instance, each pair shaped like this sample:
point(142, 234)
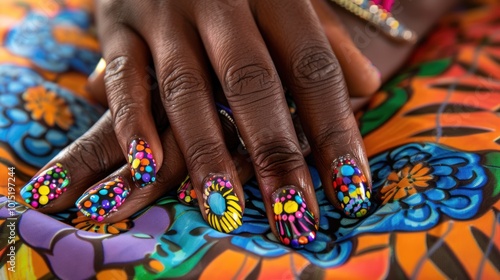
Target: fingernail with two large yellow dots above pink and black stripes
point(294, 222)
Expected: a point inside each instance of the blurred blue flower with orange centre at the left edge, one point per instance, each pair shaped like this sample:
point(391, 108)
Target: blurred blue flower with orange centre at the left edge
point(35, 131)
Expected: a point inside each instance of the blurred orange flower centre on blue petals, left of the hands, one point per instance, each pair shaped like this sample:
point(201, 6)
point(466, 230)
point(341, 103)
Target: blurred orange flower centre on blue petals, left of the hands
point(46, 105)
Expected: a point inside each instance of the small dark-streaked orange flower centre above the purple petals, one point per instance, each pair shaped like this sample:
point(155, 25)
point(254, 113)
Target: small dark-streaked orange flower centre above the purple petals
point(87, 224)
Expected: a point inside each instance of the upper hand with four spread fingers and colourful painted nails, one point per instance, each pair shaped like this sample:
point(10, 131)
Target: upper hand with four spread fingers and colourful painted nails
point(282, 40)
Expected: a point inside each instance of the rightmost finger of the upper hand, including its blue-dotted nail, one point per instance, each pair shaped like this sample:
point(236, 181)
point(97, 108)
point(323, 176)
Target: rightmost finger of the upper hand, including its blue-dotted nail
point(313, 75)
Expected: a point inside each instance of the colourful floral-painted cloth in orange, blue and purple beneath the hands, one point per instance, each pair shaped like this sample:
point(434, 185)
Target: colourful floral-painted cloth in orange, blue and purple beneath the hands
point(432, 135)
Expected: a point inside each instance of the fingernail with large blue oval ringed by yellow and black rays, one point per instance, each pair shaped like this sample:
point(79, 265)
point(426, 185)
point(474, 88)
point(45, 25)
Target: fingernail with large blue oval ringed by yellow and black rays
point(222, 205)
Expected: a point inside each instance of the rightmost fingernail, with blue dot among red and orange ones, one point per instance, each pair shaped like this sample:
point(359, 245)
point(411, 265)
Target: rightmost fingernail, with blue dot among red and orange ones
point(351, 187)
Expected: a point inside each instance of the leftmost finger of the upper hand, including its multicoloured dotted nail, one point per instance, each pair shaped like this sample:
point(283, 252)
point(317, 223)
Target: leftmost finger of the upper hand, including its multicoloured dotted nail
point(129, 99)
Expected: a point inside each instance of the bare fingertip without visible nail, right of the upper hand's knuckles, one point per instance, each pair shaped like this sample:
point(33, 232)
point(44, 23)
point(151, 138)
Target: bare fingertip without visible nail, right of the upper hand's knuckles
point(361, 76)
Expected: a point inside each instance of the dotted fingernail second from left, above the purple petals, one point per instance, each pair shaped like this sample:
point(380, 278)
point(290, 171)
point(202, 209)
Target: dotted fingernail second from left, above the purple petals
point(101, 200)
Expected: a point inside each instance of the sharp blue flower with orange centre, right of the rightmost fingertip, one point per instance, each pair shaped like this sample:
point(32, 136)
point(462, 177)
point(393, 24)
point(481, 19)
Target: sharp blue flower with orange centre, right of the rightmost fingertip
point(421, 183)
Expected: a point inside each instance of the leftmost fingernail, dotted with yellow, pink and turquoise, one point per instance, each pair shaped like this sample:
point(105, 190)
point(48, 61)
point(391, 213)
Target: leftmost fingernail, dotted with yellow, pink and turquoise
point(46, 187)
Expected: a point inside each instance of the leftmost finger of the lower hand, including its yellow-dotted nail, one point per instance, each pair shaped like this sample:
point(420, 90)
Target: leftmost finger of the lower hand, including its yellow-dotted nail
point(78, 166)
